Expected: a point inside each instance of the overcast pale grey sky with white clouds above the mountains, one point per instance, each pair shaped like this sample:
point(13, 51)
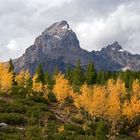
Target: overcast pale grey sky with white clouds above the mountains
point(97, 23)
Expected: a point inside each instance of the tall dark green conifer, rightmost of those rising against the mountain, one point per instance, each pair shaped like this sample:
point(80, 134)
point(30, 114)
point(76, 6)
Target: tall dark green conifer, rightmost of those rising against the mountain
point(90, 74)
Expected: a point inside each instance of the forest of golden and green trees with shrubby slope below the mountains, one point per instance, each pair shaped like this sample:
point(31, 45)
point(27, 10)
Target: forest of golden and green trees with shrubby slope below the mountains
point(80, 104)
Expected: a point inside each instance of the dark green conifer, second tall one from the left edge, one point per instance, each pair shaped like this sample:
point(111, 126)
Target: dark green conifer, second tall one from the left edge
point(40, 74)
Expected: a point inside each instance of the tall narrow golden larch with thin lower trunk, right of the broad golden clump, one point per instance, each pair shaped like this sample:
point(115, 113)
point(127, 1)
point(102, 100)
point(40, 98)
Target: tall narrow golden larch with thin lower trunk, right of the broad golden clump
point(114, 110)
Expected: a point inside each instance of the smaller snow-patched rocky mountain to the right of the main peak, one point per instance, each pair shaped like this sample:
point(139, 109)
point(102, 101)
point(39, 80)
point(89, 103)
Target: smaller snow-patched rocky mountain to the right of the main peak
point(114, 58)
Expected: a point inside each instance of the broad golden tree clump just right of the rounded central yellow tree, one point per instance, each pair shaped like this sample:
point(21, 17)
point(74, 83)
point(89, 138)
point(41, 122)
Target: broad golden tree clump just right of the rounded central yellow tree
point(92, 99)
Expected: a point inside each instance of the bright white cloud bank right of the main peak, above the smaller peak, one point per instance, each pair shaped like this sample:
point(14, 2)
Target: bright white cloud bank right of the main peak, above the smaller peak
point(122, 25)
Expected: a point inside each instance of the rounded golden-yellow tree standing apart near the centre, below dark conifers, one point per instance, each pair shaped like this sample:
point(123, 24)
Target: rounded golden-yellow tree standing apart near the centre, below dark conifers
point(62, 88)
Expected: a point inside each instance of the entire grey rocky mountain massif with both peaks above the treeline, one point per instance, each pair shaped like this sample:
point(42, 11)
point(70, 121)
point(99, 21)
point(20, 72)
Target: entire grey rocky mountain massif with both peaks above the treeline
point(58, 46)
